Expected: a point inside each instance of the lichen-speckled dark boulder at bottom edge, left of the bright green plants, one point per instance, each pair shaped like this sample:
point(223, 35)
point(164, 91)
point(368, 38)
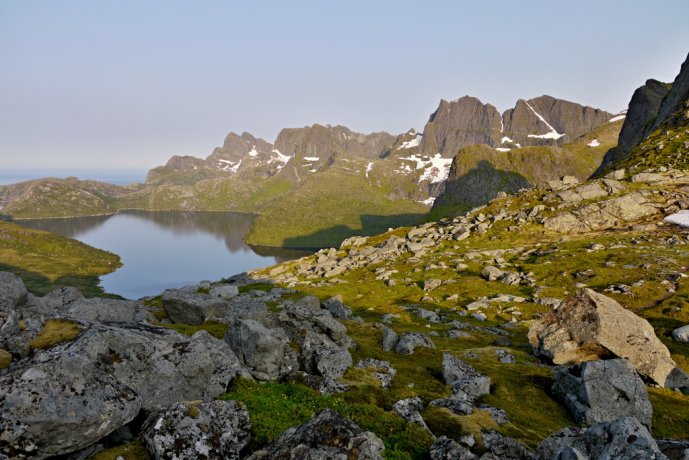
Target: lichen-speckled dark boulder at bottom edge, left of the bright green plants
point(217, 429)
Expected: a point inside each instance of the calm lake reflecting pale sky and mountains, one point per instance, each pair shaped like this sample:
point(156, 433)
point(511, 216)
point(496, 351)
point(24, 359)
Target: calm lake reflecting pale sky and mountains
point(160, 250)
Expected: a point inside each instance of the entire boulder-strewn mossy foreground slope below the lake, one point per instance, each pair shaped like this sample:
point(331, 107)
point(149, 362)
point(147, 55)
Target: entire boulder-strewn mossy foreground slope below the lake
point(548, 324)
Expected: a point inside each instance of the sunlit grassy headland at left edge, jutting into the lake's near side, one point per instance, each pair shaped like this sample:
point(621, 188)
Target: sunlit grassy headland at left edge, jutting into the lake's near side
point(45, 261)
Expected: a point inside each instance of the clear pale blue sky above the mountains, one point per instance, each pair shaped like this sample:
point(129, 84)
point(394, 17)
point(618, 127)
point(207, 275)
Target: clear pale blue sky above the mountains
point(129, 83)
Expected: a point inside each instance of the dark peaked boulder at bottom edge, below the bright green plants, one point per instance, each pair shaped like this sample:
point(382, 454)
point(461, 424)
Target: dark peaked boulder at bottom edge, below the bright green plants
point(327, 435)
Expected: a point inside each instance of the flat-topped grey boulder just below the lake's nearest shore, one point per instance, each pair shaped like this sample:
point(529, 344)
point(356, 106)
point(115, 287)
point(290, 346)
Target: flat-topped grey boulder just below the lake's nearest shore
point(187, 307)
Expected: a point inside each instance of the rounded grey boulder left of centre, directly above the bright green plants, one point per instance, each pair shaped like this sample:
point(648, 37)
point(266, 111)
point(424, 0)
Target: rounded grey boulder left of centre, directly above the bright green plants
point(264, 351)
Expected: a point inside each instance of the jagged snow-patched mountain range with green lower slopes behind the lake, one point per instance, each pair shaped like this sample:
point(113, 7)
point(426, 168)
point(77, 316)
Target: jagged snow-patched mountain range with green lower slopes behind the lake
point(347, 183)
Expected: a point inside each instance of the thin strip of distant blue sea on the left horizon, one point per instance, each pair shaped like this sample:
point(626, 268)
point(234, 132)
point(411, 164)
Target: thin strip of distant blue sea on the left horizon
point(112, 176)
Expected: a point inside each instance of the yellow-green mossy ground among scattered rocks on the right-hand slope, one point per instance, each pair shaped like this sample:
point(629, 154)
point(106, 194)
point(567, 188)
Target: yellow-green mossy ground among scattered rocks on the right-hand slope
point(645, 262)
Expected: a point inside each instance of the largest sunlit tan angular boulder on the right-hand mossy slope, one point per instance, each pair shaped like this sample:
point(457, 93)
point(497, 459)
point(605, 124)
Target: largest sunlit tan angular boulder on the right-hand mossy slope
point(592, 326)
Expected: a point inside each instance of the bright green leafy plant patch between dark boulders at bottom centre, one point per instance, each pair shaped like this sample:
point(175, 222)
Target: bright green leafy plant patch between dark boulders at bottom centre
point(274, 407)
